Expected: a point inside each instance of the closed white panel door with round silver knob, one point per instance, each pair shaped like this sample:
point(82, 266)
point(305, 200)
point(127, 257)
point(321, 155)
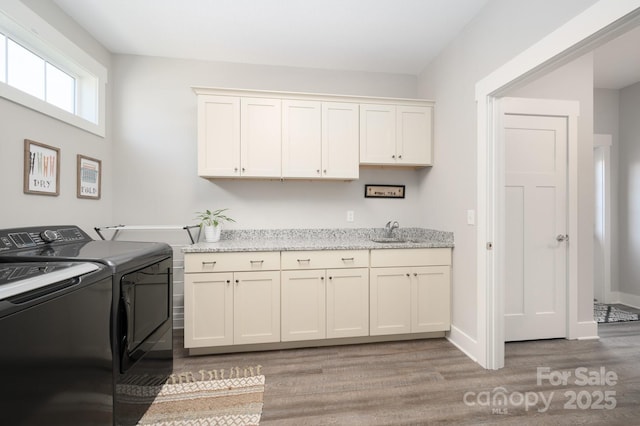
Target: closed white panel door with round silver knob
point(536, 226)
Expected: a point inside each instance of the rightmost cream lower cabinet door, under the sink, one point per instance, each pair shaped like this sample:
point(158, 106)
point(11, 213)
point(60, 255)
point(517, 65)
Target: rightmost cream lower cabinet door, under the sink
point(430, 299)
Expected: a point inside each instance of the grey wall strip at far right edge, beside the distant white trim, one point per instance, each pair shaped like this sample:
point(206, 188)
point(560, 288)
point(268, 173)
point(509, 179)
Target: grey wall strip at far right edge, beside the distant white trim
point(629, 194)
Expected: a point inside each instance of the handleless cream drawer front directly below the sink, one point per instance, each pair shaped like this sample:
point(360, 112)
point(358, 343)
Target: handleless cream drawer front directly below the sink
point(410, 257)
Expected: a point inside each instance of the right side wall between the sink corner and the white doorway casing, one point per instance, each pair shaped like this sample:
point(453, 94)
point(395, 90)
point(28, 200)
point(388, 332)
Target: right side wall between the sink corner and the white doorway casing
point(503, 29)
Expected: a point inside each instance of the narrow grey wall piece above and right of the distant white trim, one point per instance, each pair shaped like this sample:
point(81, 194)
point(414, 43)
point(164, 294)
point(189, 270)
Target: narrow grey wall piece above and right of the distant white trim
point(606, 105)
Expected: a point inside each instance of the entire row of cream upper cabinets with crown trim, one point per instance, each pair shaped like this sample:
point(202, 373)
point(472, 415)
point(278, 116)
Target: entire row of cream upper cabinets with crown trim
point(253, 134)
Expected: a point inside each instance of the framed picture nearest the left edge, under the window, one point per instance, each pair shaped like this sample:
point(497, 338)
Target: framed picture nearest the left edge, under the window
point(41, 169)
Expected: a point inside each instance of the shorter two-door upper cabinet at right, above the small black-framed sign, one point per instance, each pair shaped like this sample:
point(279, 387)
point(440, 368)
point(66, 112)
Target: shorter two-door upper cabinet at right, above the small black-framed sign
point(397, 135)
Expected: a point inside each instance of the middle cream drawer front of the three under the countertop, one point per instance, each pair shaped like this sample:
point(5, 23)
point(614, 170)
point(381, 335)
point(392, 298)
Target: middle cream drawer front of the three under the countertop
point(325, 259)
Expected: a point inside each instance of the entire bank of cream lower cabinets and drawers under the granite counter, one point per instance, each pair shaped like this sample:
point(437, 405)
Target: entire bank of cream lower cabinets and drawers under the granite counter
point(268, 297)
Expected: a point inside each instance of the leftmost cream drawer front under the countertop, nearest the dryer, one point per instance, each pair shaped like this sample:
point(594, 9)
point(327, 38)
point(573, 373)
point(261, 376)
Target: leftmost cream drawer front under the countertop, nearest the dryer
point(231, 262)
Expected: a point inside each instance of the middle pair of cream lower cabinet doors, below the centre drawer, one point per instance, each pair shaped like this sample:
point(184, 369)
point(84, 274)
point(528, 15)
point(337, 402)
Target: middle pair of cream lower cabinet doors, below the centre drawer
point(319, 304)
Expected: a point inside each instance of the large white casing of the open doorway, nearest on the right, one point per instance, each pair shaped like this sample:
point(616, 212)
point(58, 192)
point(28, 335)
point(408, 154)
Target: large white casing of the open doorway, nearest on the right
point(599, 23)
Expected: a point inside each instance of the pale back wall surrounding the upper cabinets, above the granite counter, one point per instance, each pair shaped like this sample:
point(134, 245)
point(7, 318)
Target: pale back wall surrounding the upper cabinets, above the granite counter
point(154, 116)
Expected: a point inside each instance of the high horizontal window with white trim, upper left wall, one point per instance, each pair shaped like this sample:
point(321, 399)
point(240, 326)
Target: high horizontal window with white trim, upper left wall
point(44, 71)
